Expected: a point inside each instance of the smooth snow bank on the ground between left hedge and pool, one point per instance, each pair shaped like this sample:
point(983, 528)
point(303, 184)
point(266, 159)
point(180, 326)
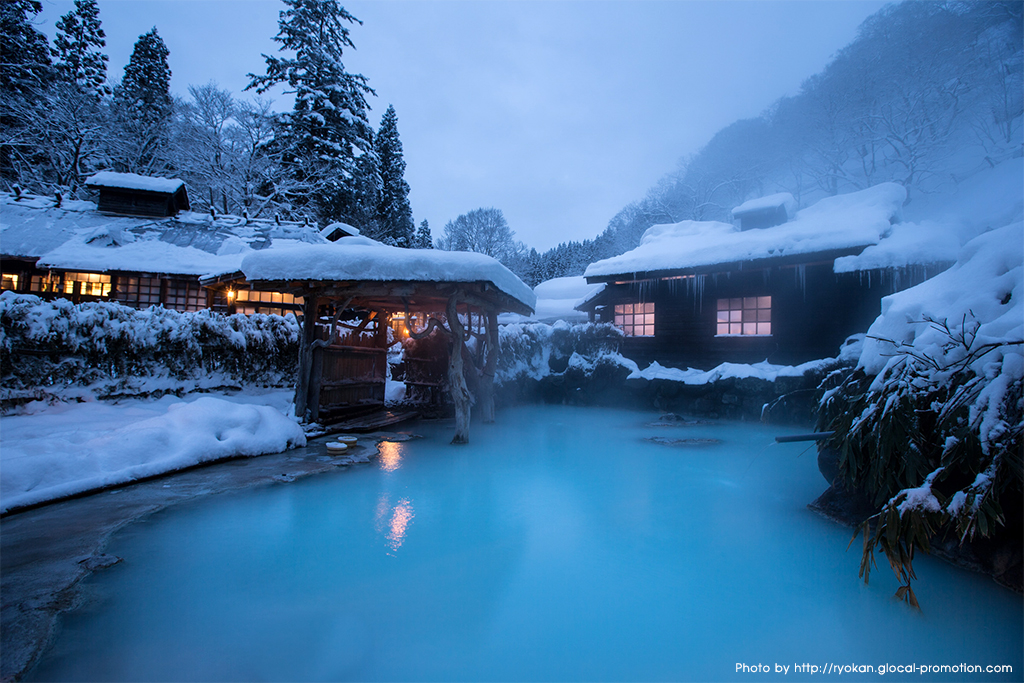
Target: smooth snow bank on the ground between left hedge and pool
point(55, 451)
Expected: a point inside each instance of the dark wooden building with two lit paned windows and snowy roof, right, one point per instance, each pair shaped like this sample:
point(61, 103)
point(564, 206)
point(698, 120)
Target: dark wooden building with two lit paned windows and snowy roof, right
point(700, 294)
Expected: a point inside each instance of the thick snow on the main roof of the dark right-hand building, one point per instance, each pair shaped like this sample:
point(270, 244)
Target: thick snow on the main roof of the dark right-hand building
point(844, 223)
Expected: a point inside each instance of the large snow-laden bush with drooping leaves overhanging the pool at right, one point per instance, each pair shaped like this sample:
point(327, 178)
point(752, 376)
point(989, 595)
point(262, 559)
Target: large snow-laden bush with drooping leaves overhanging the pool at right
point(929, 424)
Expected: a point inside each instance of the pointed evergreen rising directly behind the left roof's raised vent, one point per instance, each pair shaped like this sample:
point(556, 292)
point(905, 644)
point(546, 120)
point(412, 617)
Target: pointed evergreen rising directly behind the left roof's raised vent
point(143, 109)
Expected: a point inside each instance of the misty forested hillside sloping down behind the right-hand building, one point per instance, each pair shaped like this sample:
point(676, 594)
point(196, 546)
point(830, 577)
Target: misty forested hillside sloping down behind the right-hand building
point(927, 95)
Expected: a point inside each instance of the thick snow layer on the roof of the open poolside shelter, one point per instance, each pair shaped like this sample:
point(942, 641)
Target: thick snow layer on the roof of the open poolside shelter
point(362, 260)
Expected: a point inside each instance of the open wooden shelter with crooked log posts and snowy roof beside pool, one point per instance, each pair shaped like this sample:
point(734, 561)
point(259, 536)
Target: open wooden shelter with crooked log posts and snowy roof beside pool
point(353, 289)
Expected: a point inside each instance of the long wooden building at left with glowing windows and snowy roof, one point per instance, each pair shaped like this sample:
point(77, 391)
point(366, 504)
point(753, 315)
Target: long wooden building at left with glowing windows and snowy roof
point(189, 262)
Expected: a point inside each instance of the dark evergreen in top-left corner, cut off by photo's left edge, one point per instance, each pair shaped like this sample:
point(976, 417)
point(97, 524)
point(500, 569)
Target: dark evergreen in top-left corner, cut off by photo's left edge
point(25, 59)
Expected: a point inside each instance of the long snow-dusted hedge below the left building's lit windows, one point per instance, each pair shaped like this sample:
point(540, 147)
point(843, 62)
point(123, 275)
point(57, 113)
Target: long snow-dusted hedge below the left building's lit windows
point(57, 347)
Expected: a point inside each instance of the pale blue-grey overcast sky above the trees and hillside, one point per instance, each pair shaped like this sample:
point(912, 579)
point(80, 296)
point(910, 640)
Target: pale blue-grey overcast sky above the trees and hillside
point(557, 113)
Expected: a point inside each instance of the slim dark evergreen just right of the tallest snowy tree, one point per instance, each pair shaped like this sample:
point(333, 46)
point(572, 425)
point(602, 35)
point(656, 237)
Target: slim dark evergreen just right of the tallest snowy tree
point(395, 217)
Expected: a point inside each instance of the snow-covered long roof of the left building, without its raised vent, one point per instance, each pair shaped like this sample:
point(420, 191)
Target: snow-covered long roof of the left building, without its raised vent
point(79, 238)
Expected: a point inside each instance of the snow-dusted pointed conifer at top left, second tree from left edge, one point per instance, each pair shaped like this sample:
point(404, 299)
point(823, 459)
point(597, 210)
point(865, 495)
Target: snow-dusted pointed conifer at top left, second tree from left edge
point(76, 48)
